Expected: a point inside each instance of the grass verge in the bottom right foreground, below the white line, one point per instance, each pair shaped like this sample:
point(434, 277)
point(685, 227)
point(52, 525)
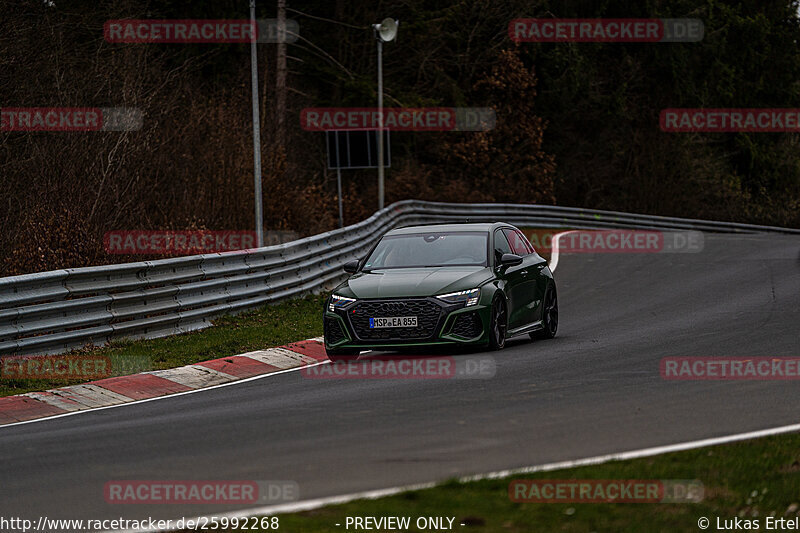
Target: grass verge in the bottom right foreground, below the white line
point(749, 480)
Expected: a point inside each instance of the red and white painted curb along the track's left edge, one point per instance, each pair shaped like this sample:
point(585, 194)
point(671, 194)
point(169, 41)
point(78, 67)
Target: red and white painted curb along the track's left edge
point(147, 385)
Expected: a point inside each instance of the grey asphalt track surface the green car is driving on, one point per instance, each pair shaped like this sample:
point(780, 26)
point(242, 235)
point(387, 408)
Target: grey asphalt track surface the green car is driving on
point(595, 389)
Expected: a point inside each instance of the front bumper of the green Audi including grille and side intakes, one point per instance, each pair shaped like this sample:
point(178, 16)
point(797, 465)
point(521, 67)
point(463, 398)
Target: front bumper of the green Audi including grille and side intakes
point(438, 323)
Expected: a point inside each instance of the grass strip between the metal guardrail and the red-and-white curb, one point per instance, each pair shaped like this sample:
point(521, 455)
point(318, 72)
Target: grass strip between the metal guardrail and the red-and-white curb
point(273, 325)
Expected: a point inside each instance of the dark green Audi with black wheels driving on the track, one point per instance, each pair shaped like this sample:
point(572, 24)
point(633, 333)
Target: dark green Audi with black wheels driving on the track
point(471, 284)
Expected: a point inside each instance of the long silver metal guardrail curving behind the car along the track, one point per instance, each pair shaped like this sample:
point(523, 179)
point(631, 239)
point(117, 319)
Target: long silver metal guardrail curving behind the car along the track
point(53, 312)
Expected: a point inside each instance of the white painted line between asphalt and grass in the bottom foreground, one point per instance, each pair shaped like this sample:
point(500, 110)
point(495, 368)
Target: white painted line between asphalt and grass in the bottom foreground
point(307, 505)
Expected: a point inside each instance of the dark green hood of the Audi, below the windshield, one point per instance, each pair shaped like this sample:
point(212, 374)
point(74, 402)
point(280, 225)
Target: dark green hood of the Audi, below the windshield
point(413, 282)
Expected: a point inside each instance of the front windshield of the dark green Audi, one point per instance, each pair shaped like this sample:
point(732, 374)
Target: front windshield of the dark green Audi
point(429, 250)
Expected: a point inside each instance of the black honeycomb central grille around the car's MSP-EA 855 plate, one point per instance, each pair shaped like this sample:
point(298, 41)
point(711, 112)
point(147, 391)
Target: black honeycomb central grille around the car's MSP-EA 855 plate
point(428, 315)
